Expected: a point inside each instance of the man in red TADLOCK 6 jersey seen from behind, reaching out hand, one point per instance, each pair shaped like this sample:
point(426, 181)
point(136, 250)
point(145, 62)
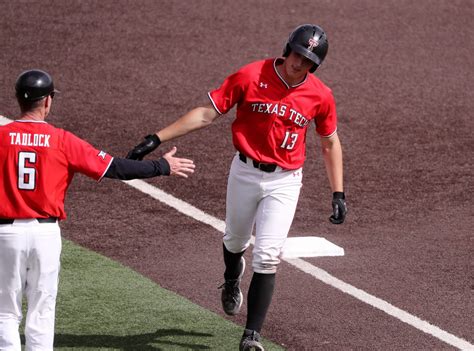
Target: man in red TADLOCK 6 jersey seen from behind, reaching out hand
point(38, 162)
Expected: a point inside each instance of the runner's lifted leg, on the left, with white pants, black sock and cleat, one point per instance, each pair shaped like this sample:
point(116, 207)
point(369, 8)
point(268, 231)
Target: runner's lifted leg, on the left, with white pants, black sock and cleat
point(241, 204)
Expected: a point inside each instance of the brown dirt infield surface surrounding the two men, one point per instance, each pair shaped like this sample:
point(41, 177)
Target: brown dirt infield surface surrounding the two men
point(400, 72)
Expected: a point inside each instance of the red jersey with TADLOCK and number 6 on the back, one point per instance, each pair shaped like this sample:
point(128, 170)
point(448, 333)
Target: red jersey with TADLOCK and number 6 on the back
point(38, 162)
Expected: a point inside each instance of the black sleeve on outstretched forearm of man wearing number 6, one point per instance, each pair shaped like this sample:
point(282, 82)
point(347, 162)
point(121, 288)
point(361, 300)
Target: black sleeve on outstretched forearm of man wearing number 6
point(125, 169)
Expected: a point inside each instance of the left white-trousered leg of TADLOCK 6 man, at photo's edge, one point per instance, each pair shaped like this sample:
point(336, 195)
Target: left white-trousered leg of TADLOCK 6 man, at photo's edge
point(12, 274)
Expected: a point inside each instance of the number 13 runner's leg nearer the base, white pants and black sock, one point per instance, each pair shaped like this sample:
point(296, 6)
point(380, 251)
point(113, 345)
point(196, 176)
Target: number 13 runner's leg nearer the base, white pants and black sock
point(274, 217)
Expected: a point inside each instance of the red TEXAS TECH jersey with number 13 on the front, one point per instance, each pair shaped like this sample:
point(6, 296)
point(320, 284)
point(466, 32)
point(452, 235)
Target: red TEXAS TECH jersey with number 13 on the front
point(272, 117)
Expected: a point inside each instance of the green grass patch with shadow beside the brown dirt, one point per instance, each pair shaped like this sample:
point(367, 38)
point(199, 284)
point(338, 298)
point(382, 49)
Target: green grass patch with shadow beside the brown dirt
point(103, 305)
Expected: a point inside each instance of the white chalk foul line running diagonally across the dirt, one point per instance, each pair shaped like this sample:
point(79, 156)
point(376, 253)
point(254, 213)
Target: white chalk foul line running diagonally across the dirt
point(304, 266)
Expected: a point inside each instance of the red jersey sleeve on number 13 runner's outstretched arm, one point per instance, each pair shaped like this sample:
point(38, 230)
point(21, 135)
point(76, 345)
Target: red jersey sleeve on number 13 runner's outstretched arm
point(229, 93)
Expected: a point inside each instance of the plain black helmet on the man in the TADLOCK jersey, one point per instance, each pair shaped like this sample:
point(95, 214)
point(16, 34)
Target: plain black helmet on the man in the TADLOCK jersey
point(33, 85)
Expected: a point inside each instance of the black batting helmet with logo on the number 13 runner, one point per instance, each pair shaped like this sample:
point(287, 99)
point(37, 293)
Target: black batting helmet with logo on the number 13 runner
point(310, 41)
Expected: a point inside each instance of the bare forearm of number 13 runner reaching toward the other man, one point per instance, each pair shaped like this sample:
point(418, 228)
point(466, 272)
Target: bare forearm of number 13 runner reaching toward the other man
point(195, 119)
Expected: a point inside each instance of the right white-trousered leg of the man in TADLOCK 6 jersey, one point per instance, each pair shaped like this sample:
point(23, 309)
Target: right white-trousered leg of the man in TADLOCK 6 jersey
point(42, 286)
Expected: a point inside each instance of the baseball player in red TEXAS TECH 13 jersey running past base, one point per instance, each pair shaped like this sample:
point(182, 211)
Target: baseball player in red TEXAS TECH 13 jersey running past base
point(276, 99)
